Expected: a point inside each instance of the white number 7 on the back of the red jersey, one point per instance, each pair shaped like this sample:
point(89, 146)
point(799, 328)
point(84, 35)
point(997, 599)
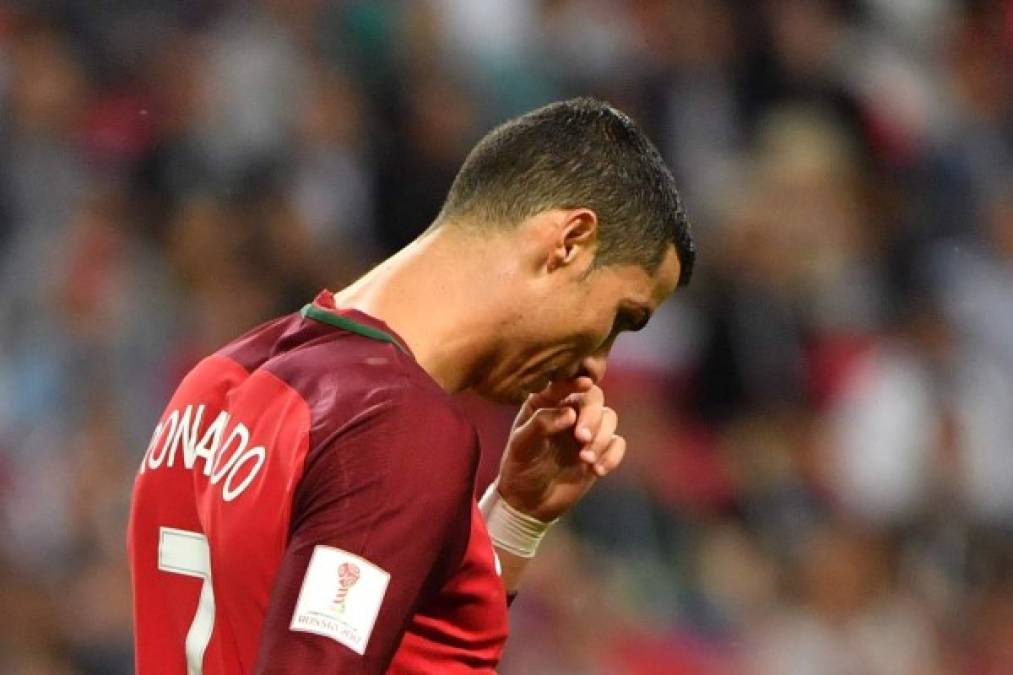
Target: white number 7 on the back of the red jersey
point(188, 554)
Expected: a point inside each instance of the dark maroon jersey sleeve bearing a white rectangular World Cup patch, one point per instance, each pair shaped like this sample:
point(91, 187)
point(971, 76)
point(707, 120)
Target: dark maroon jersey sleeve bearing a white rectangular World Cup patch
point(380, 521)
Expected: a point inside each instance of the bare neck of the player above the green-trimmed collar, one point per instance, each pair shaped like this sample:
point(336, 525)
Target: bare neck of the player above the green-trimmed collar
point(439, 295)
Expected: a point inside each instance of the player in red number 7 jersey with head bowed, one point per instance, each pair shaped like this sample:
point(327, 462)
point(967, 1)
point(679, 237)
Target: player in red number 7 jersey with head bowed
point(306, 503)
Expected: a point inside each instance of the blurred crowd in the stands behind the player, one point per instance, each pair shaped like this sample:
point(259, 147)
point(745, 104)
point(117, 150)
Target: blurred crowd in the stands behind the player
point(821, 473)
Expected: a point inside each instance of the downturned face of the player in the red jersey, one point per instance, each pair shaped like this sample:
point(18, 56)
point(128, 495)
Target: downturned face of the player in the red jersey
point(568, 327)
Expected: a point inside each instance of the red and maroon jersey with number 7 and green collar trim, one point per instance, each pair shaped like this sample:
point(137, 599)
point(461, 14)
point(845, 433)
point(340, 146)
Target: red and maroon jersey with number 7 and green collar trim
point(306, 504)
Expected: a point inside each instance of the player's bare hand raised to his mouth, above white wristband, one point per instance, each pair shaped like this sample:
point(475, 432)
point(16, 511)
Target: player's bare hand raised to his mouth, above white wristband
point(564, 439)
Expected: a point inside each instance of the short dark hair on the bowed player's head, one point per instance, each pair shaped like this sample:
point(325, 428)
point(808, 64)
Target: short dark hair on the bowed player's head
point(577, 154)
